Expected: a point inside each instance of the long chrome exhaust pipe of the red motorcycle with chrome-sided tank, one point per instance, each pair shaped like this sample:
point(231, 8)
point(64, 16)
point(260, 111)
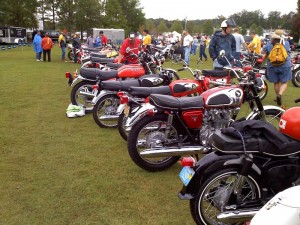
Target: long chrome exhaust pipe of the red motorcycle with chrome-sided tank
point(164, 152)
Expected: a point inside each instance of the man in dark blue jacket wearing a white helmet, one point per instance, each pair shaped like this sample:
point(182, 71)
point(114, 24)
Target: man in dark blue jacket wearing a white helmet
point(223, 40)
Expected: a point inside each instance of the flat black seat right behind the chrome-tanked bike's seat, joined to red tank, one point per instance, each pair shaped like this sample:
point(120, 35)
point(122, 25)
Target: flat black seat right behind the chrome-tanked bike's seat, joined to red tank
point(144, 92)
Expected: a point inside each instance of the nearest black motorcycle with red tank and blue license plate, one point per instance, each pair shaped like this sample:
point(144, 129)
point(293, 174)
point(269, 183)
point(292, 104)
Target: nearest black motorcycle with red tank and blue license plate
point(251, 163)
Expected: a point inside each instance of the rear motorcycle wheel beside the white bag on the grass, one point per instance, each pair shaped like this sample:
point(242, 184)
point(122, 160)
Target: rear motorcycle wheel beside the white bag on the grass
point(81, 100)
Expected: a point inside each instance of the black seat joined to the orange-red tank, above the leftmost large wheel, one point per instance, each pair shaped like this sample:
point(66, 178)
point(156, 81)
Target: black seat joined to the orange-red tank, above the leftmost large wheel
point(94, 73)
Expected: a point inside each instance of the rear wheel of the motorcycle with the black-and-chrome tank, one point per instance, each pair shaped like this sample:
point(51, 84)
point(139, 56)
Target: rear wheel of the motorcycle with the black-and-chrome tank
point(105, 106)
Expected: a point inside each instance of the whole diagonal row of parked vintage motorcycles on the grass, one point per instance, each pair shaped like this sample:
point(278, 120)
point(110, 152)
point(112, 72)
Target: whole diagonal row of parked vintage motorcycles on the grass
point(234, 166)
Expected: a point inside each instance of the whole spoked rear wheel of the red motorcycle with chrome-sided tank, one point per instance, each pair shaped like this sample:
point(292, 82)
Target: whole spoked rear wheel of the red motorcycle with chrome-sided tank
point(150, 132)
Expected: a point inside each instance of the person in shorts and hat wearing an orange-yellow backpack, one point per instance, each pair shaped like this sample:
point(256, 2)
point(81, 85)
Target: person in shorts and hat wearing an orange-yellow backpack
point(278, 64)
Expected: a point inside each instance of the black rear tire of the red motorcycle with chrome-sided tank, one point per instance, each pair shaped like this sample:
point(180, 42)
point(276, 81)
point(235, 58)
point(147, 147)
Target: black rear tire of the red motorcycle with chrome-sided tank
point(150, 164)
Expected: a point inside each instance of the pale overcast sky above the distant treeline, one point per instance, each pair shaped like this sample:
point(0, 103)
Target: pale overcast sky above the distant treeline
point(210, 9)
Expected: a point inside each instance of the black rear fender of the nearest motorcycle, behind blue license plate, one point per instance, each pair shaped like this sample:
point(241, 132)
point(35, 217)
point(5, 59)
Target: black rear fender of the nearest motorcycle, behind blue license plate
point(211, 162)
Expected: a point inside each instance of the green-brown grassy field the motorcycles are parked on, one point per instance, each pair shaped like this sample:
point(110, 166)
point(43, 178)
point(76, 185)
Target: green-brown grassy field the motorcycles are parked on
point(58, 170)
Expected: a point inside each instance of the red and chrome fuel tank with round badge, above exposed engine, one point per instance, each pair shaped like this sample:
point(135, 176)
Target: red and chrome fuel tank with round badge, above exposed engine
point(223, 96)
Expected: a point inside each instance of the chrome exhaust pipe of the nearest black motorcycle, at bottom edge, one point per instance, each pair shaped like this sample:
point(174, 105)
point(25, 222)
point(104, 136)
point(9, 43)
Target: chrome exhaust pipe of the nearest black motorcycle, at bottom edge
point(237, 216)
